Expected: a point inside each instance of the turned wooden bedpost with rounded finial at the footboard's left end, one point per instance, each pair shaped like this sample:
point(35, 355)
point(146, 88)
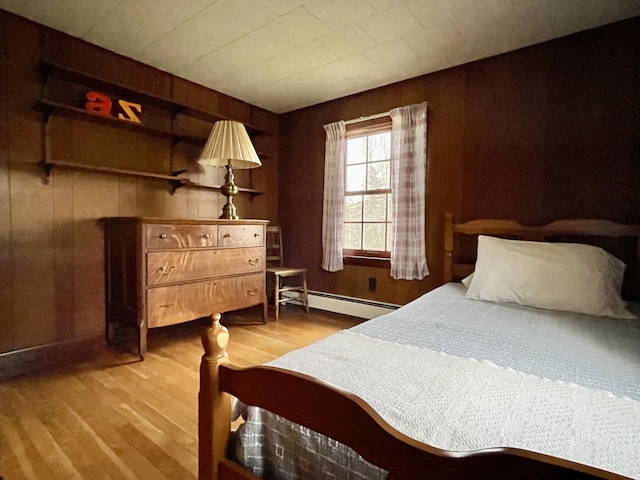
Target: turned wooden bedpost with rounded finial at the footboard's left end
point(214, 406)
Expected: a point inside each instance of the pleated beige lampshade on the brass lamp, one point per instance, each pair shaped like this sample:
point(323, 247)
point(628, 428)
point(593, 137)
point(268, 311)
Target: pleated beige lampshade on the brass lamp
point(229, 144)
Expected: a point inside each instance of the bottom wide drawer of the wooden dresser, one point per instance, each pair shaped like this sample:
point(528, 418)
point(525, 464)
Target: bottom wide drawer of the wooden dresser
point(180, 303)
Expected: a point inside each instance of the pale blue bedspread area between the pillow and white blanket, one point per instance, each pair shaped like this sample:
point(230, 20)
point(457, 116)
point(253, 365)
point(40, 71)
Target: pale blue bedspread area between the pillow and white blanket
point(595, 352)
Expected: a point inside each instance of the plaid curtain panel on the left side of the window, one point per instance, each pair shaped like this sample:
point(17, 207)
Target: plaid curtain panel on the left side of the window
point(333, 202)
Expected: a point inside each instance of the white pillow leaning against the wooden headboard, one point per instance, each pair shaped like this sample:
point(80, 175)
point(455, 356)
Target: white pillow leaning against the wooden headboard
point(557, 276)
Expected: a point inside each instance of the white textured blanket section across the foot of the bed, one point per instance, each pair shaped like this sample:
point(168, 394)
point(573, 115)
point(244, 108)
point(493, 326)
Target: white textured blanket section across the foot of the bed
point(476, 403)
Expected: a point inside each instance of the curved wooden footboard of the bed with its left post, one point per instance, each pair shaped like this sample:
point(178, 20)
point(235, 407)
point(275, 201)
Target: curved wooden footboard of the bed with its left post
point(346, 418)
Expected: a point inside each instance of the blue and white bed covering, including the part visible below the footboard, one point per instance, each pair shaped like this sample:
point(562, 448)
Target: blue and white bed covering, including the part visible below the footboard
point(461, 374)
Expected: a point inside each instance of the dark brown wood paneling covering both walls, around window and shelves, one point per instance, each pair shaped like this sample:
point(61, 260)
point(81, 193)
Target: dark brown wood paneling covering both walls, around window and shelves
point(547, 132)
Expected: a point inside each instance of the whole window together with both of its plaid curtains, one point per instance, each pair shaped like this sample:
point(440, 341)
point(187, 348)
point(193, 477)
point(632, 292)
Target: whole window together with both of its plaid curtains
point(355, 166)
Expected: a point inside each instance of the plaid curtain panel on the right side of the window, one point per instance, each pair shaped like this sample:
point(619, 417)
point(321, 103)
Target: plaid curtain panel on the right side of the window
point(408, 184)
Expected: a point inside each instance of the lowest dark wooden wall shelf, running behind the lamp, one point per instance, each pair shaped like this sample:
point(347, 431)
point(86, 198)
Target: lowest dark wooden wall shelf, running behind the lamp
point(175, 181)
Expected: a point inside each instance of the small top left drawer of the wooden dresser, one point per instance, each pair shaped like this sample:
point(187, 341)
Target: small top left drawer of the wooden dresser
point(161, 237)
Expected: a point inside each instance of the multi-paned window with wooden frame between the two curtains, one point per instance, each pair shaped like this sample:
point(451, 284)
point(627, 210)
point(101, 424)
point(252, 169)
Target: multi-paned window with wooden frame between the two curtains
point(367, 209)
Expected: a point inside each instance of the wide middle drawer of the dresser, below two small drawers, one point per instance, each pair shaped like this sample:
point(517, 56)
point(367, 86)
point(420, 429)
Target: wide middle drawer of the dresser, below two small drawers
point(174, 267)
